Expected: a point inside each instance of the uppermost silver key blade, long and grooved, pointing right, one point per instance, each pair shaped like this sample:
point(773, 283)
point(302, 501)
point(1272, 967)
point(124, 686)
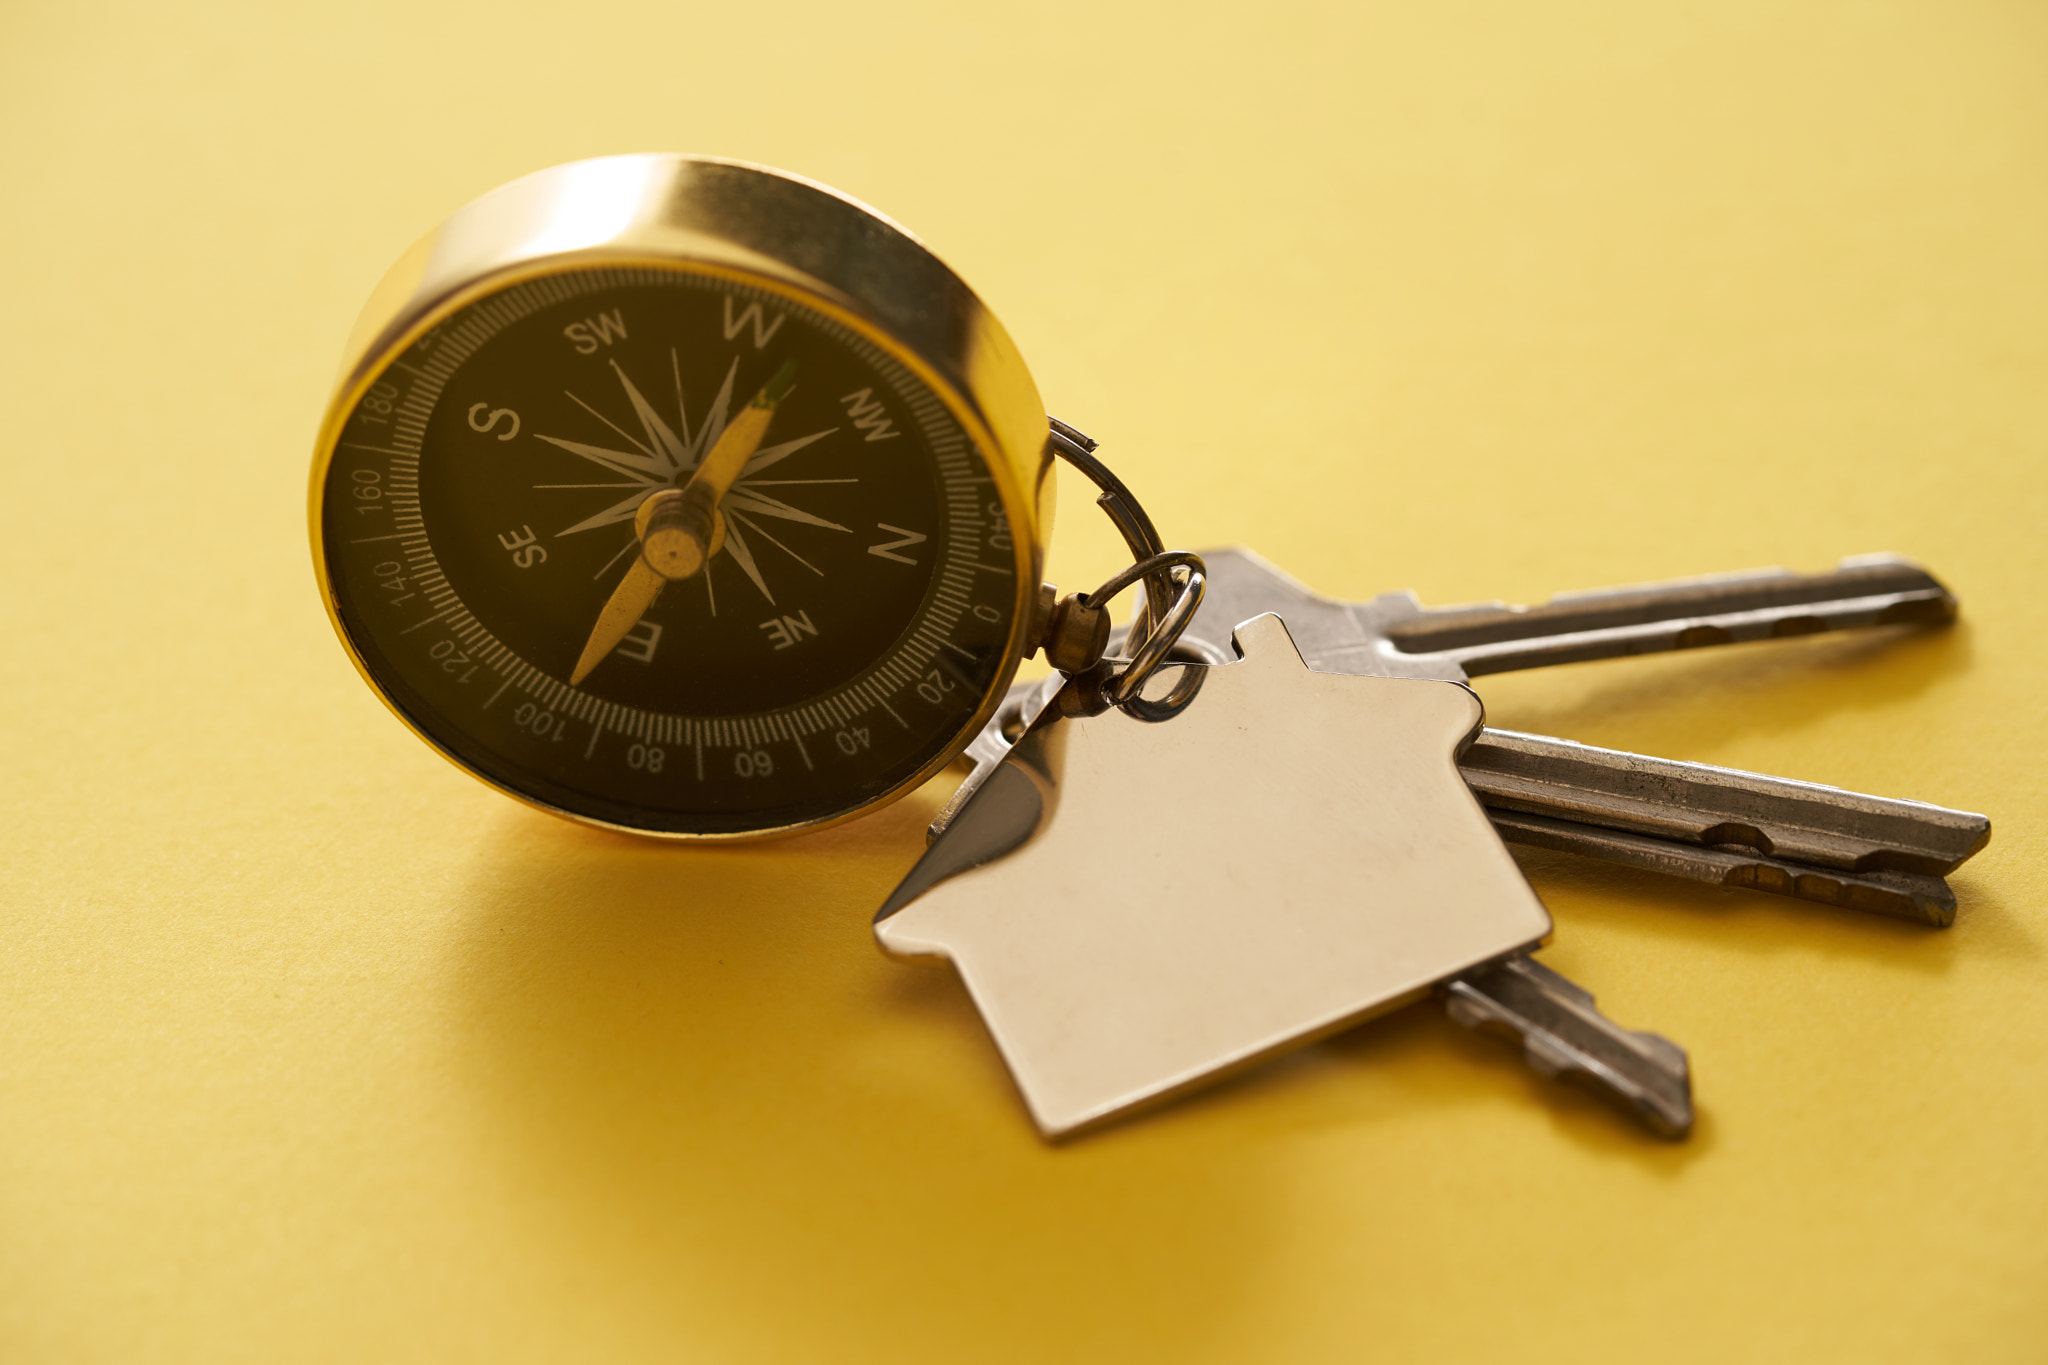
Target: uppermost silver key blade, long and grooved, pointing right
point(1871, 590)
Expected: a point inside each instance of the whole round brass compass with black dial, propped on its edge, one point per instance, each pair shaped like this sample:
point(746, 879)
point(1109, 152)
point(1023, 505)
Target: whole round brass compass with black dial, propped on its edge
point(683, 496)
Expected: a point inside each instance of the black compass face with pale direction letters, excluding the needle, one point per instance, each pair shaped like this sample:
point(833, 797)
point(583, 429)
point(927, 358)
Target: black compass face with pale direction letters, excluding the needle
point(478, 517)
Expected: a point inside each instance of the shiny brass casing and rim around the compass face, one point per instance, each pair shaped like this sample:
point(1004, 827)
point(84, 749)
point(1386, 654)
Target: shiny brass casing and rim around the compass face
point(763, 228)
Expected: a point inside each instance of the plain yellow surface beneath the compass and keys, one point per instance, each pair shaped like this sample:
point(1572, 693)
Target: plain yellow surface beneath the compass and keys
point(314, 1049)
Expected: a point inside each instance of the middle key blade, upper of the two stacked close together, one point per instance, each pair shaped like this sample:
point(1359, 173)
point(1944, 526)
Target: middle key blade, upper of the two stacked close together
point(1719, 807)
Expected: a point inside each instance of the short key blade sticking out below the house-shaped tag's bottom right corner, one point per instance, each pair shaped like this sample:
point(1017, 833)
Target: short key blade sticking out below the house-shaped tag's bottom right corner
point(1568, 1039)
